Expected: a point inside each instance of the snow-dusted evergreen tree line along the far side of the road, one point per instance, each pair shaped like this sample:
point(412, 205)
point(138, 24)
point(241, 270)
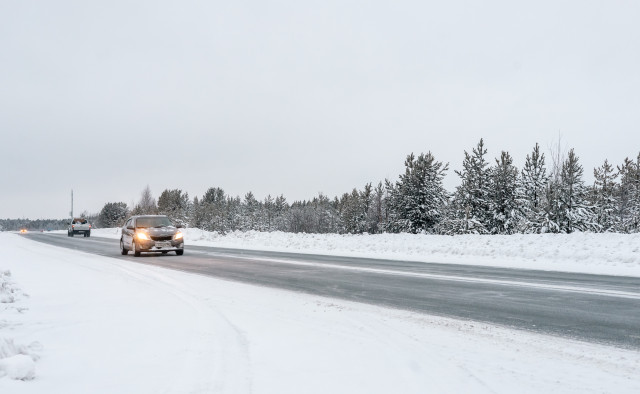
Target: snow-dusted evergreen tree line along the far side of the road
point(547, 195)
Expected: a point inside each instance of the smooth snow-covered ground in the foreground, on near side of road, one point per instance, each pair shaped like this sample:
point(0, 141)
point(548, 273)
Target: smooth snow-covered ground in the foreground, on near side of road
point(72, 322)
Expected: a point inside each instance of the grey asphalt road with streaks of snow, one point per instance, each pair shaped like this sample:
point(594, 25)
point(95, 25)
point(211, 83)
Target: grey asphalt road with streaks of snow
point(593, 308)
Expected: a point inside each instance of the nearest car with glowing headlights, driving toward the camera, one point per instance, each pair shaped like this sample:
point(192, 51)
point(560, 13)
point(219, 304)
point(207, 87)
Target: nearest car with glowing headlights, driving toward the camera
point(151, 233)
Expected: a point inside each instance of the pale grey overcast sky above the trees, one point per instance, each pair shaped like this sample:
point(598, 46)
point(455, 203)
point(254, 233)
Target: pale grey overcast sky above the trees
point(298, 97)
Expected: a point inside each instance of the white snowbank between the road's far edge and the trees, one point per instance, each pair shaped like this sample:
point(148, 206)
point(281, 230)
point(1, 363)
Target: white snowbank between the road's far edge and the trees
point(609, 254)
